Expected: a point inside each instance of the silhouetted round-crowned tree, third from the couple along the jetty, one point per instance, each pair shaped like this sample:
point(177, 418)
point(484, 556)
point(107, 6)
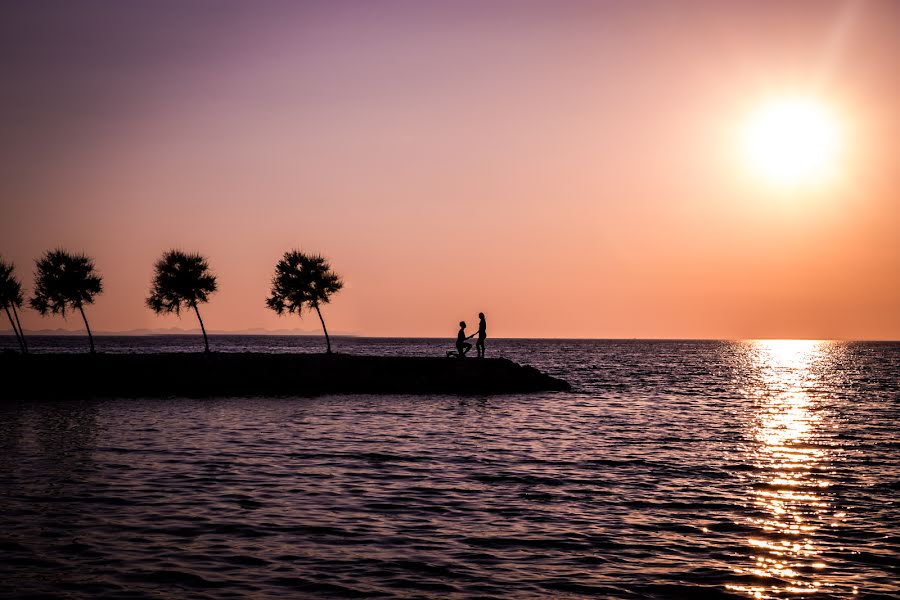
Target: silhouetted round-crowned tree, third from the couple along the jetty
point(64, 280)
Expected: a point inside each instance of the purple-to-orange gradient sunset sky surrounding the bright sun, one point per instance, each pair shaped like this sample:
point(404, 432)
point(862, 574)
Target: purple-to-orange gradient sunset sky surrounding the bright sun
point(571, 169)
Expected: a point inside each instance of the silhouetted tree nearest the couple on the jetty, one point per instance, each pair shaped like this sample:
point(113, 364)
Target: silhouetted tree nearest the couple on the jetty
point(303, 280)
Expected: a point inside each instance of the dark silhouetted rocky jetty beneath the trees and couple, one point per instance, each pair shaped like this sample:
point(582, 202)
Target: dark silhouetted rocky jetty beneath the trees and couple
point(249, 374)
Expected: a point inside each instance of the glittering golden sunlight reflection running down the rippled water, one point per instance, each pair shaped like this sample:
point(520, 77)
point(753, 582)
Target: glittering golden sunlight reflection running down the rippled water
point(792, 467)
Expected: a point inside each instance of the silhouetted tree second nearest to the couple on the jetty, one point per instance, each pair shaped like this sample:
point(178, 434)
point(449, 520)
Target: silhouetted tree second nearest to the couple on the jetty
point(181, 281)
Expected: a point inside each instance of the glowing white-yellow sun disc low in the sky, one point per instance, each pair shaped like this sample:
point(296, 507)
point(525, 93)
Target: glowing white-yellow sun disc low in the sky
point(792, 140)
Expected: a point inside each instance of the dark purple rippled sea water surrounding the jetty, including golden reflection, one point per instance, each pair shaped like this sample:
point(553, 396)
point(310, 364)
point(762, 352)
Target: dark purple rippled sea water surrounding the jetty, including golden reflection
point(675, 469)
